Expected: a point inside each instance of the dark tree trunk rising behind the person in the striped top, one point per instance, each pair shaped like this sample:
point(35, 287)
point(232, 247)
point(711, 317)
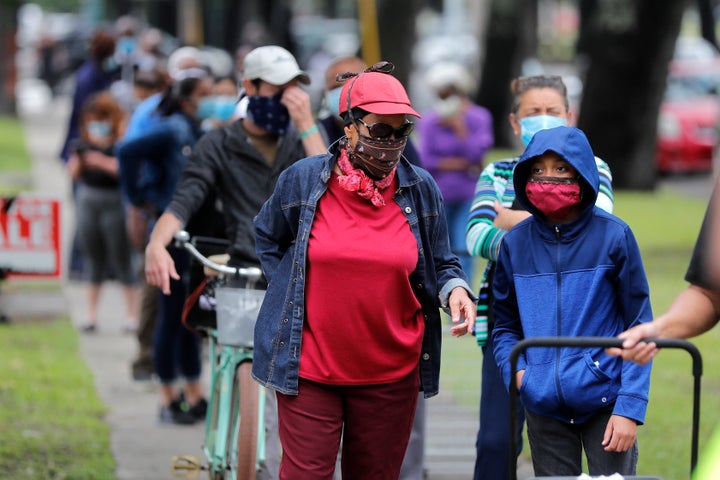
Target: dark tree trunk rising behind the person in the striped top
point(507, 40)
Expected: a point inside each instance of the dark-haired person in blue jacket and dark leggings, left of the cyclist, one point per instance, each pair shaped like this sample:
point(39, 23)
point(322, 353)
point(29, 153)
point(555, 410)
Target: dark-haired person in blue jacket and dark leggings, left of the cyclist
point(166, 147)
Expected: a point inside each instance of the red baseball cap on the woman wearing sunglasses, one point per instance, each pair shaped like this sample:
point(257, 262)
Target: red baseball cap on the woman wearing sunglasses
point(378, 93)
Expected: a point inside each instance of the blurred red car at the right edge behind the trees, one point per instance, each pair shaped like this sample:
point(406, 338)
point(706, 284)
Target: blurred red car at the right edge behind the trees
point(689, 118)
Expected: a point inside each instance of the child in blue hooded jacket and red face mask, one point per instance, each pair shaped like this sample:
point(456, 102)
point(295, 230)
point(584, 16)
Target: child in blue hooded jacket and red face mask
point(571, 270)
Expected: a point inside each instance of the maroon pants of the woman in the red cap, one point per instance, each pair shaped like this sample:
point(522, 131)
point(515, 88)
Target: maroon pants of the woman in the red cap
point(374, 422)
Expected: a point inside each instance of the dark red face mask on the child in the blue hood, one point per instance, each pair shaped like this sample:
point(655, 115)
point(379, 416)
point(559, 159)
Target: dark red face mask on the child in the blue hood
point(554, 197)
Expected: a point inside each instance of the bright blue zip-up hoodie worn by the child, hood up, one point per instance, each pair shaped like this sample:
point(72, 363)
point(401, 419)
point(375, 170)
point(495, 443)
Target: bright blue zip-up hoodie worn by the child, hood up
point(583, 278)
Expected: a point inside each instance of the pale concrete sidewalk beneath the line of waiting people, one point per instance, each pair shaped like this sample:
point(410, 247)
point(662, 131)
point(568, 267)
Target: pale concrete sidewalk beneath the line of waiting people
point(141, 447)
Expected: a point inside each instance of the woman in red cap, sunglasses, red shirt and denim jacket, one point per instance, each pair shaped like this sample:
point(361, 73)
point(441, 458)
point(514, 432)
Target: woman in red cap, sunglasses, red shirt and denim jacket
point(355, 248)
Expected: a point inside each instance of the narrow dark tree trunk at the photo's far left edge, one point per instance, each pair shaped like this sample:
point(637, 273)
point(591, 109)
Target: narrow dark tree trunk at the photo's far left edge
point(8, 49)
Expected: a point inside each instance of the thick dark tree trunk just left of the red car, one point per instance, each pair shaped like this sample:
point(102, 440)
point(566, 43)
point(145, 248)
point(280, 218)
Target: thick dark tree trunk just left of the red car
point(628, 44)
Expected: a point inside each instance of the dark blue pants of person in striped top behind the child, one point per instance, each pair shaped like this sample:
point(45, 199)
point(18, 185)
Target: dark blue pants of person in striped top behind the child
point(493, 440)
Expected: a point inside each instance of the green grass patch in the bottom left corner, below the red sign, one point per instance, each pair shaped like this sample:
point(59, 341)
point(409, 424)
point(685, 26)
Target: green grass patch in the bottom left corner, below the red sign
point(51, 424)
